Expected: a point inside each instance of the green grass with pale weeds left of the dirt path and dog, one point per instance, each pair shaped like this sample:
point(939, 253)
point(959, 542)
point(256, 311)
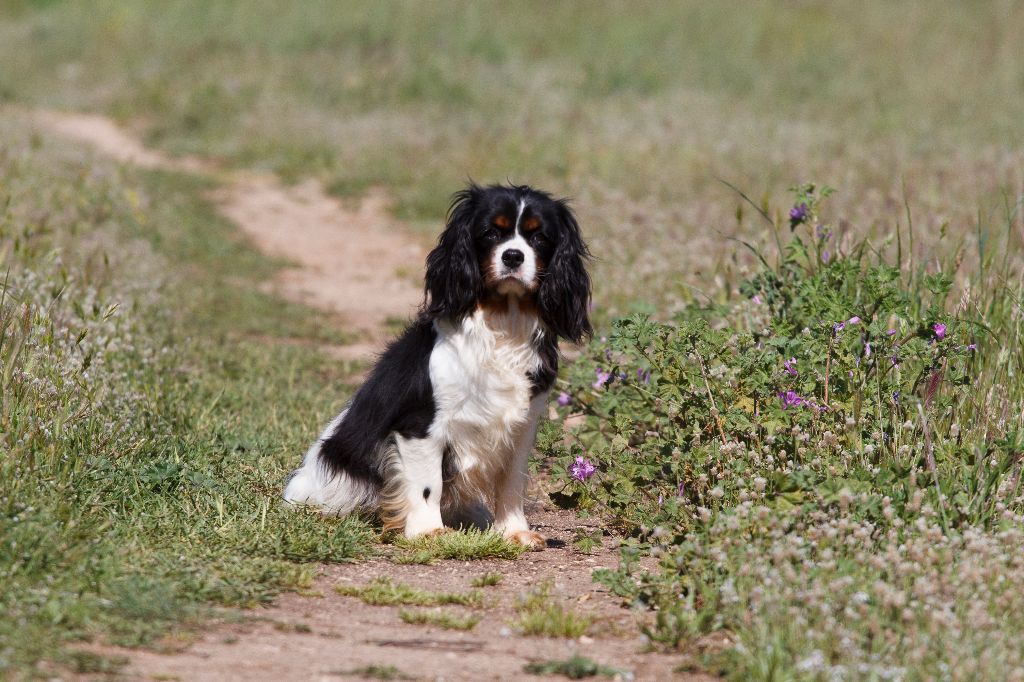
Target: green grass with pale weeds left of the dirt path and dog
point(146, 438)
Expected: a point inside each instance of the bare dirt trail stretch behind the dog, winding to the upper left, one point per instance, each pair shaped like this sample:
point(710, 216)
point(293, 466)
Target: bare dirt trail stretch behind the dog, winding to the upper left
point(355, 262)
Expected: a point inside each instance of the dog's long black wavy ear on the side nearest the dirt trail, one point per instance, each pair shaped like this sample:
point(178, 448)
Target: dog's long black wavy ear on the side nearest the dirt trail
point(454, 283)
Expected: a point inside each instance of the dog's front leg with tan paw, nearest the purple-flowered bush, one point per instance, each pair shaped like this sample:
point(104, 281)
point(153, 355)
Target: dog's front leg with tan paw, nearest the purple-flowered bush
point(510, 488)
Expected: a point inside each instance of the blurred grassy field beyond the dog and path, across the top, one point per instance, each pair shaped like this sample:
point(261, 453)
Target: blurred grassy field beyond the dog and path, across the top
point(633, 110)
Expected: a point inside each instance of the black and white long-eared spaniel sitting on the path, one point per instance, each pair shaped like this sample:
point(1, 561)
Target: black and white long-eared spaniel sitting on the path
point(445, 424)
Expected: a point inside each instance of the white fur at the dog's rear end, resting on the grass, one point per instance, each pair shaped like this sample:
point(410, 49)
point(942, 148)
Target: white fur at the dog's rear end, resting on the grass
point(315, 485)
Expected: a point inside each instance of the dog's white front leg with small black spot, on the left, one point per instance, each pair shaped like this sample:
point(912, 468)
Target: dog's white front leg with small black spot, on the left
point(413, 501)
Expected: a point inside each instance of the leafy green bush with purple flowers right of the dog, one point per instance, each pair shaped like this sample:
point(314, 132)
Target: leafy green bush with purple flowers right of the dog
point(815, 382)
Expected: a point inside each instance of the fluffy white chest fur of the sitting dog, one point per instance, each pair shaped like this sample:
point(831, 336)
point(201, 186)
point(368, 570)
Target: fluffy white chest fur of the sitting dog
point(479, 370)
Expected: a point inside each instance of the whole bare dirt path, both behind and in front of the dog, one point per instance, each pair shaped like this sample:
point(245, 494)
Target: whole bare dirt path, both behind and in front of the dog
point(360, 264)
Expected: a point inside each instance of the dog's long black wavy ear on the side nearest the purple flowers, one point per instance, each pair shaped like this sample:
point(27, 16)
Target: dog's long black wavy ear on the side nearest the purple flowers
point(565, 295)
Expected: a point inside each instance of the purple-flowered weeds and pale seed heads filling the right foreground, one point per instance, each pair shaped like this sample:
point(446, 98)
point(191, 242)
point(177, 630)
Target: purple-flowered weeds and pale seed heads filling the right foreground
point(832, 475)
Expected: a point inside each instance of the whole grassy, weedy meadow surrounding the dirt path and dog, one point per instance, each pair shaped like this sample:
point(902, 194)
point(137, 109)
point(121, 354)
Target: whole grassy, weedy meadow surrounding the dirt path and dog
point(808, 407)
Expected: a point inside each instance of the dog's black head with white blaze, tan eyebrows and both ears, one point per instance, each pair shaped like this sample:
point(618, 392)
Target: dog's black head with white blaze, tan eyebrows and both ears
point(511, 241)
